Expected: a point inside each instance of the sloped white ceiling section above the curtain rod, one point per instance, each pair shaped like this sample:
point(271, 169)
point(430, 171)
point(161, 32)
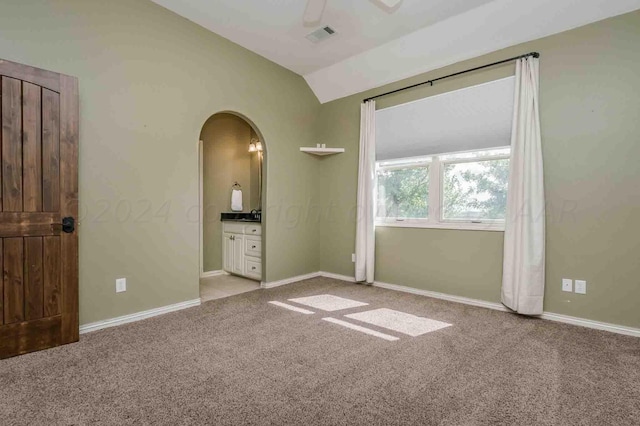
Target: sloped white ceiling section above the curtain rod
point(485, 29)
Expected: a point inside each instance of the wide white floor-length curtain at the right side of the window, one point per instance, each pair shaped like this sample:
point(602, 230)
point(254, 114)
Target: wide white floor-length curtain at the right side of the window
point(524, 237)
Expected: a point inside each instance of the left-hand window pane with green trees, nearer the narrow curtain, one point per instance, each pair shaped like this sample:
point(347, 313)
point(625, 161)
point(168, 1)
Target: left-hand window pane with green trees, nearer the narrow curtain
point(403, 193)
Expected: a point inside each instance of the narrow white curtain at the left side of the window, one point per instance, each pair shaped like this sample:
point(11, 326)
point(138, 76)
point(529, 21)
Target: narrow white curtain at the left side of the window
point(365, 220)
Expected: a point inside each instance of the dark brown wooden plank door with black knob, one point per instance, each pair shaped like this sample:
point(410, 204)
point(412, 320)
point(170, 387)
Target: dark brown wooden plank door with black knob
point(38, 192)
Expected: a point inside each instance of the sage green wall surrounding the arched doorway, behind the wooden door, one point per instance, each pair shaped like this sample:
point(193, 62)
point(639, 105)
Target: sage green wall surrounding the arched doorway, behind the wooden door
point(149, 80)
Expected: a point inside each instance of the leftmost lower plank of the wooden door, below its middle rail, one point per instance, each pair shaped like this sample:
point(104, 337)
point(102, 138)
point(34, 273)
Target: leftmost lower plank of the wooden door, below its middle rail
point(13, 273)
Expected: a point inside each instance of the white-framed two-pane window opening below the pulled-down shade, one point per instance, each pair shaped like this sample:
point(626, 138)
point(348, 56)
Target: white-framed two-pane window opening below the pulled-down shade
point(461, 191)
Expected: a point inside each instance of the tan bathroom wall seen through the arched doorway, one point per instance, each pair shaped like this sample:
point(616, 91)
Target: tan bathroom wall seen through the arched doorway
point(226, 160)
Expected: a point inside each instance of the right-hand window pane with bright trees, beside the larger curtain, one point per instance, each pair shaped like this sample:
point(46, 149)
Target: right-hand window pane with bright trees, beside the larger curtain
point(475, 190)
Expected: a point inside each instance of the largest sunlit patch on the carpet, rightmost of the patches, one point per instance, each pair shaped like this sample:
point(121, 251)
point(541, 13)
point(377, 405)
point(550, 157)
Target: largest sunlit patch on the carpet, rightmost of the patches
point(399, 321)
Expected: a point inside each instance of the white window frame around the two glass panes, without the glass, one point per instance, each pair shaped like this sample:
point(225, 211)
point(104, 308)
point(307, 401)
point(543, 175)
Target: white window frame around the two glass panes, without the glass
point(436, 177)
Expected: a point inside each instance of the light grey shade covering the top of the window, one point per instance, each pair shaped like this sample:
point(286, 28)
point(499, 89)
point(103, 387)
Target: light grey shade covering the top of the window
point(473, 118)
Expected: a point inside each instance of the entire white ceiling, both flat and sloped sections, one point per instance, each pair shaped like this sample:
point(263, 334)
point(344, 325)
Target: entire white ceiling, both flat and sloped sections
point(373, 48)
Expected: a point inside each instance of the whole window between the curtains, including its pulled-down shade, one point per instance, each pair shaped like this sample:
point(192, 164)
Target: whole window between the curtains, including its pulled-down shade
point(443, 161)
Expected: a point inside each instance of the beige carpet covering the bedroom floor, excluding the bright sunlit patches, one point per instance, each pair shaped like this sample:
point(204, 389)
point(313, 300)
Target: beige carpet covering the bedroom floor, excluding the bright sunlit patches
point(241, 360)
